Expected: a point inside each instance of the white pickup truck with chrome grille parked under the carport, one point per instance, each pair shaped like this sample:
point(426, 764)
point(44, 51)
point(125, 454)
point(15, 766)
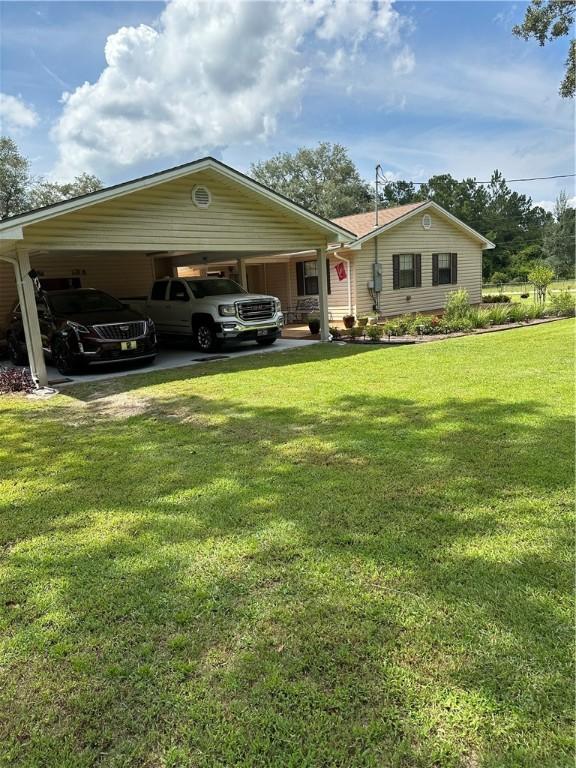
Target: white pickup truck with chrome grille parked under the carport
point(210, 311)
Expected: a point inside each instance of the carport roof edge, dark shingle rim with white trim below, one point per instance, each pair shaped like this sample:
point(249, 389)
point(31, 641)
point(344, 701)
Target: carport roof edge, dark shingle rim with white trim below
point(160, 177)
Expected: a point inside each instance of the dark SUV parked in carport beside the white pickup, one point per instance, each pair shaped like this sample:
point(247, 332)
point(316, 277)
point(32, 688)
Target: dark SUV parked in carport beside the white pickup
point(85, 327)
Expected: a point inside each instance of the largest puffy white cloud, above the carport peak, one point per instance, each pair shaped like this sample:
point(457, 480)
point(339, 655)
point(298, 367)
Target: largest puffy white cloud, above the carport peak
point(209, 74)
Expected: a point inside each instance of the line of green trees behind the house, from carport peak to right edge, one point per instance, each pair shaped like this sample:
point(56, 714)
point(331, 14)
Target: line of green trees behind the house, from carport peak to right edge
point(326, 180)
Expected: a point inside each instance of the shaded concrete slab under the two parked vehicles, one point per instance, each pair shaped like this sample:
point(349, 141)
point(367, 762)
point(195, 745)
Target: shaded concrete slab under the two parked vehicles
point(172, 358)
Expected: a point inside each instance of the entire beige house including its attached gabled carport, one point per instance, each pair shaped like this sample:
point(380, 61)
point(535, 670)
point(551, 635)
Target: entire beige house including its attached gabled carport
point(205, 217)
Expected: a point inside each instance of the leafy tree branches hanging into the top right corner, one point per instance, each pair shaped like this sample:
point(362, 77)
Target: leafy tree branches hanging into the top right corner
point(548, 20)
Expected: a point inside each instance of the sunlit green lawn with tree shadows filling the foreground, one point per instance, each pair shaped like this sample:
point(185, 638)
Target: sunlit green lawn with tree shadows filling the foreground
point(327, 557)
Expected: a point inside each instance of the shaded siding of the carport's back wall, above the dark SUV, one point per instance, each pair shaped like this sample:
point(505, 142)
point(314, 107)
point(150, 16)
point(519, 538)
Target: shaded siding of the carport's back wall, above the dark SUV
point(124, 274)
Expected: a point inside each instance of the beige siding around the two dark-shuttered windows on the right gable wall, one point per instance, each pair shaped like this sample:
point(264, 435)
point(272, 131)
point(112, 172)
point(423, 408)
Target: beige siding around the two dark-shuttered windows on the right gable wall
point(410, 237)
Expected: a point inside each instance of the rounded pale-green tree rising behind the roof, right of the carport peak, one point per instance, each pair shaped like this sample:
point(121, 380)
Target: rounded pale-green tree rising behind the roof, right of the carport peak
point(323, 179)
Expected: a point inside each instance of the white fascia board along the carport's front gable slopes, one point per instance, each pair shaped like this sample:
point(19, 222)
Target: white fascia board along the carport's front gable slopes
point(161, 178)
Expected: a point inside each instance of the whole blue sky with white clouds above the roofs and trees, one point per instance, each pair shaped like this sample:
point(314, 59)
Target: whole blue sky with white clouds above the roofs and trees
point(121, 89)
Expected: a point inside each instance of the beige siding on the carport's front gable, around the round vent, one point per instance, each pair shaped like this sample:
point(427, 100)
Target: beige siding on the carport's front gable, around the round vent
point(164, 218)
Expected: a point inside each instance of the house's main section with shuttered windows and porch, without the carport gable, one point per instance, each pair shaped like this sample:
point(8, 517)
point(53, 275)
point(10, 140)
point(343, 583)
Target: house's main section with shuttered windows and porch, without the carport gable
point(423, 253)
